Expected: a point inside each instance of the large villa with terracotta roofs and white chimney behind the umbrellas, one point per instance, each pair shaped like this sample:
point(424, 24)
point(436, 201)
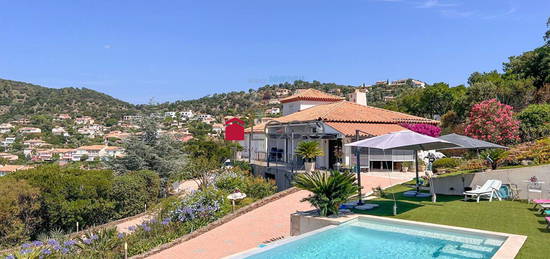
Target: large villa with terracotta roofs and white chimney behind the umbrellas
point(333, 122)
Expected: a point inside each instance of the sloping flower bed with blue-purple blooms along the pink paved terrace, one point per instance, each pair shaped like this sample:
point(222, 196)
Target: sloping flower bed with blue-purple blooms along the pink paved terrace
point(175, 217)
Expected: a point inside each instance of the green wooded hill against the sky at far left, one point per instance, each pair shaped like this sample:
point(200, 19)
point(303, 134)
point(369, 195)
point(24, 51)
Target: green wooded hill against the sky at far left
point(19, 99)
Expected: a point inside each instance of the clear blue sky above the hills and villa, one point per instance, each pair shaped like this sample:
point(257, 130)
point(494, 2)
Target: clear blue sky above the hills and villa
point(172, 50)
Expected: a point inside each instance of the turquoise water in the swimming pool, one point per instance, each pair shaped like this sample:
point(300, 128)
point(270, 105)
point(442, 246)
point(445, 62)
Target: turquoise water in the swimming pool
point(366, 238)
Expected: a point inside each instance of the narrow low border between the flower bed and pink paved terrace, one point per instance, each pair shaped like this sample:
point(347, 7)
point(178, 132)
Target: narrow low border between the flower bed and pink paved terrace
point(218, 222)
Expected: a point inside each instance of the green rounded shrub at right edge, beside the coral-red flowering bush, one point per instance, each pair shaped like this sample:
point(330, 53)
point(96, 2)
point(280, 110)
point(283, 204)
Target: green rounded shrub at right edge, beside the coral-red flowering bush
point(535, 121)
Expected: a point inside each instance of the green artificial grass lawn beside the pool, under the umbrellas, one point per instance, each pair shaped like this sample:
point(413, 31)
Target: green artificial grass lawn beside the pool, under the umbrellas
point(515, 217)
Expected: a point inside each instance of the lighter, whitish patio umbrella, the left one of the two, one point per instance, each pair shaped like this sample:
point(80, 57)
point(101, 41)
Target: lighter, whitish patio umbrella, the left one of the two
point(404, 140)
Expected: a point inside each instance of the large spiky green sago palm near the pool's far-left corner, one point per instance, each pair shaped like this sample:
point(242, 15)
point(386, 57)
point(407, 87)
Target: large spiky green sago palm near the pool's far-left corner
point(329, 189)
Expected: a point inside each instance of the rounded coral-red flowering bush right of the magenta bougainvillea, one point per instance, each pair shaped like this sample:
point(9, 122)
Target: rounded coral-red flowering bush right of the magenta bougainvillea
point(493, 121)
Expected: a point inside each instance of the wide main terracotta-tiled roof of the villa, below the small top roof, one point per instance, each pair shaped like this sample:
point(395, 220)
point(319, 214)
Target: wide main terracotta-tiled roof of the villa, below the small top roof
point(344, 111)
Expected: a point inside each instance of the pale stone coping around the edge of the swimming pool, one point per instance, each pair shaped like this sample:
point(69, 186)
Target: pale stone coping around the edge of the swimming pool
point(508, 250)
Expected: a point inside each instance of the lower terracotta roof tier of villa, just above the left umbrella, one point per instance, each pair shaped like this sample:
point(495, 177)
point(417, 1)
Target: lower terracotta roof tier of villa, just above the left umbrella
point(370, 129)
